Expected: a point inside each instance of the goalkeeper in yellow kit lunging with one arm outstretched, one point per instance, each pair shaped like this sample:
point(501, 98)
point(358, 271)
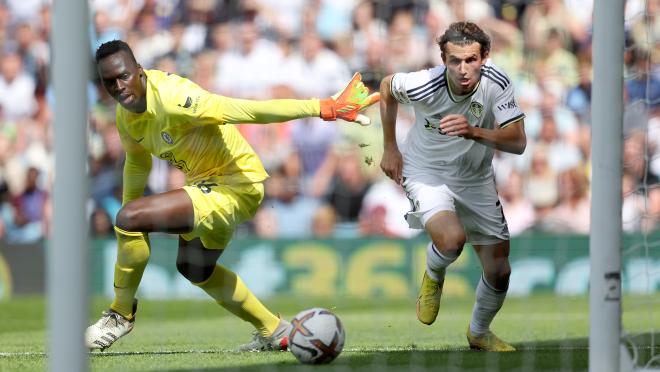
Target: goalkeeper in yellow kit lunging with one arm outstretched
point(174, 119)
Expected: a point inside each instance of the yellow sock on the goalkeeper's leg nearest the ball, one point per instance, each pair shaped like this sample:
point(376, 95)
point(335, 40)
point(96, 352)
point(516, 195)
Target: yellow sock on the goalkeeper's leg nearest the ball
point(232, 294)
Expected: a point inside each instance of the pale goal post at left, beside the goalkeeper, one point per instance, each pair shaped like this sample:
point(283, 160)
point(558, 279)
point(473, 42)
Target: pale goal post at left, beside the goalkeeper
point(67, 255)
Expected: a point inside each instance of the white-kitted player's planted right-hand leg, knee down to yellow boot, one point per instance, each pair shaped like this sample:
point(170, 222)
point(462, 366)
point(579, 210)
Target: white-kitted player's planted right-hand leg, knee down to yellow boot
point(491, 292)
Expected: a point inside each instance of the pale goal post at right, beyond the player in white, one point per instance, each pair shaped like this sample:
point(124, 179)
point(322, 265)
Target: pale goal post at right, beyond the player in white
point(607, 163)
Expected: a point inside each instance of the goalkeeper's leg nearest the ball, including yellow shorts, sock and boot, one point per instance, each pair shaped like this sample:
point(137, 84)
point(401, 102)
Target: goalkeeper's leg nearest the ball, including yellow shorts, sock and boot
point(223, 208)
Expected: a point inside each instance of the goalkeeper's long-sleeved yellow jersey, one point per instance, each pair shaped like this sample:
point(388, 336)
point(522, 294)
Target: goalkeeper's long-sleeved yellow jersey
point(184, 124)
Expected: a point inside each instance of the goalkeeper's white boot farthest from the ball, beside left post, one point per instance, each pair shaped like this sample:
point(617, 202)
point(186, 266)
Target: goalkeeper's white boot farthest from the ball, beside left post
point(102, 334)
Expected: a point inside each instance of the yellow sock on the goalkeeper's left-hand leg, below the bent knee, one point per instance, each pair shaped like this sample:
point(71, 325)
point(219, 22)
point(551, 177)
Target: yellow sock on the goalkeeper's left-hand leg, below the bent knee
point(132, 256)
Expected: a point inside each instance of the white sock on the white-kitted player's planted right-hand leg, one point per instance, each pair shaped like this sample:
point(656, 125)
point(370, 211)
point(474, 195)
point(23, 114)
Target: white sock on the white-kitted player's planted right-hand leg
point(488, 303)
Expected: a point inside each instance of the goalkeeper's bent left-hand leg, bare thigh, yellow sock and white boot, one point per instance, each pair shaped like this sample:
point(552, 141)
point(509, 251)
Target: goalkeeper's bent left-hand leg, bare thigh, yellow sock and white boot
point(168, 212)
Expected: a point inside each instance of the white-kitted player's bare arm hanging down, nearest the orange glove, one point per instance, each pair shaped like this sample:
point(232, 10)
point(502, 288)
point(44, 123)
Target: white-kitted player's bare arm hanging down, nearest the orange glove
point(392, 162)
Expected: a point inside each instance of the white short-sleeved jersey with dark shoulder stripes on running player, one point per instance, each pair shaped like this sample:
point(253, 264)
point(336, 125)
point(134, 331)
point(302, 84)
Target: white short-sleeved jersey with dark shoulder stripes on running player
point(448, 159)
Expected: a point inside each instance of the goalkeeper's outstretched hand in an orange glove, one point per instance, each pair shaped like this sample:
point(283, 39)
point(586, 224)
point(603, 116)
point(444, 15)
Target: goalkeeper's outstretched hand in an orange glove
point(347, 103)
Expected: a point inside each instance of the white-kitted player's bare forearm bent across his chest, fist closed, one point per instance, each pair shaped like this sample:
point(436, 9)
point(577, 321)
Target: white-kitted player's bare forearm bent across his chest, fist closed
point(510, 138)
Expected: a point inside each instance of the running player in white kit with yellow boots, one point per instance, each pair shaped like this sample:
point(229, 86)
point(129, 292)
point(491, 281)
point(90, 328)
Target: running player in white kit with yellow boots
point(464, 111)
